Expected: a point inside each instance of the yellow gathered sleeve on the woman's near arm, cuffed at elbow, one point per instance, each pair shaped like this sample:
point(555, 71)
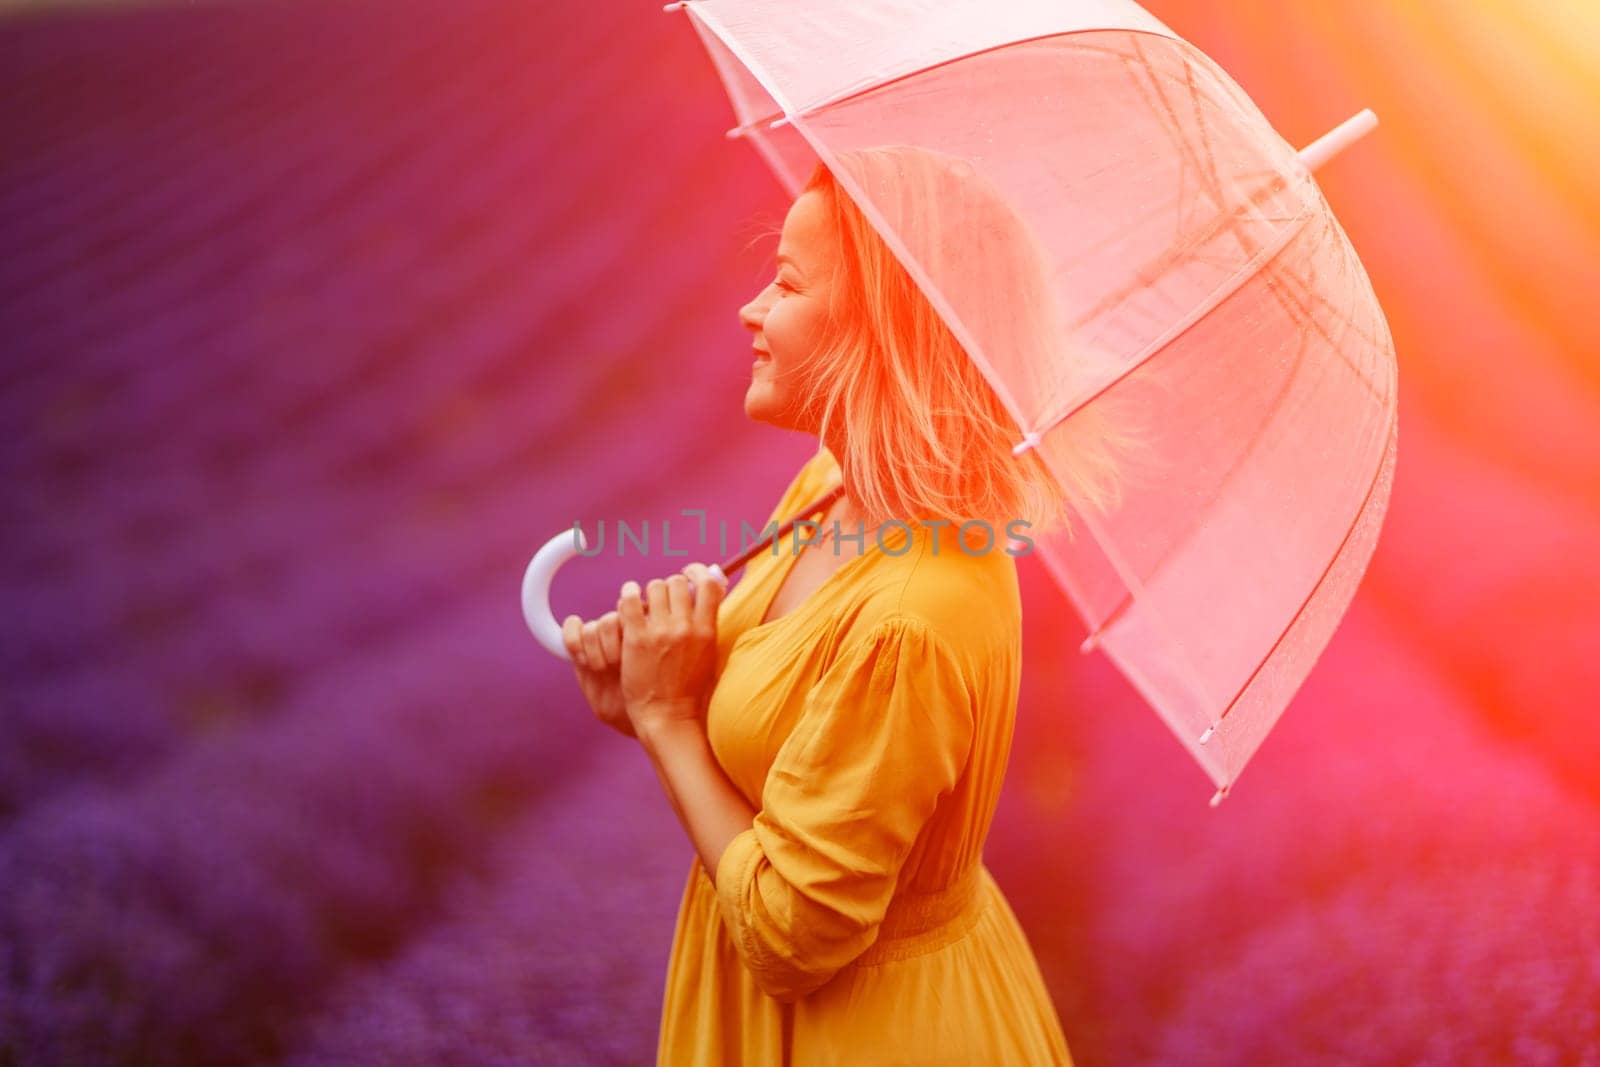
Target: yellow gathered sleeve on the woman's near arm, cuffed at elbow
point(884, 733)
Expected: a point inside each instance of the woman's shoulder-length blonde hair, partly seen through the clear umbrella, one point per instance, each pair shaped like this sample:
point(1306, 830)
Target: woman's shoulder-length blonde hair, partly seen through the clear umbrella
point(927, 434)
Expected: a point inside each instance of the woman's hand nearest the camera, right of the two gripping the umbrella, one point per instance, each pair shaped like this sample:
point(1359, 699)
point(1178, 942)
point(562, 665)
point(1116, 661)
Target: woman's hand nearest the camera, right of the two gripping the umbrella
point(670, 647)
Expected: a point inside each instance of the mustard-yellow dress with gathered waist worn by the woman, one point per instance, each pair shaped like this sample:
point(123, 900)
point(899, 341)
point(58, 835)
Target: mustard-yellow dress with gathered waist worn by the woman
point(871, 727)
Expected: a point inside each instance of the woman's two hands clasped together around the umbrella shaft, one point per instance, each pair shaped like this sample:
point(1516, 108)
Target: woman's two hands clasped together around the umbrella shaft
point(652, 660)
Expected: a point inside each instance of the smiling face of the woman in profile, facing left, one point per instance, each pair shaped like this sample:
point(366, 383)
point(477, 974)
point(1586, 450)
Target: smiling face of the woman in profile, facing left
point(788, 319)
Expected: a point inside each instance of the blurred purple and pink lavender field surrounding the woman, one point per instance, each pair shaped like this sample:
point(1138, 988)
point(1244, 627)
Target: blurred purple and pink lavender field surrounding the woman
point(319, 318)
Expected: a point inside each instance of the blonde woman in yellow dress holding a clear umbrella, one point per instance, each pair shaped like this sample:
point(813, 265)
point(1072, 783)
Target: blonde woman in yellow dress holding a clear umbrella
point(836, 732)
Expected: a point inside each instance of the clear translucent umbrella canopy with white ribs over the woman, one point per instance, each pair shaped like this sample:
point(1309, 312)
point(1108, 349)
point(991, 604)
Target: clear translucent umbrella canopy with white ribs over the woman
point(1153, 284)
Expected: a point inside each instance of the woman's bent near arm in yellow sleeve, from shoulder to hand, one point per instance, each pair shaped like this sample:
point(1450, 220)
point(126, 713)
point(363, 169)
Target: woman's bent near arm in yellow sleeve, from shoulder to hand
point(884, 735)
